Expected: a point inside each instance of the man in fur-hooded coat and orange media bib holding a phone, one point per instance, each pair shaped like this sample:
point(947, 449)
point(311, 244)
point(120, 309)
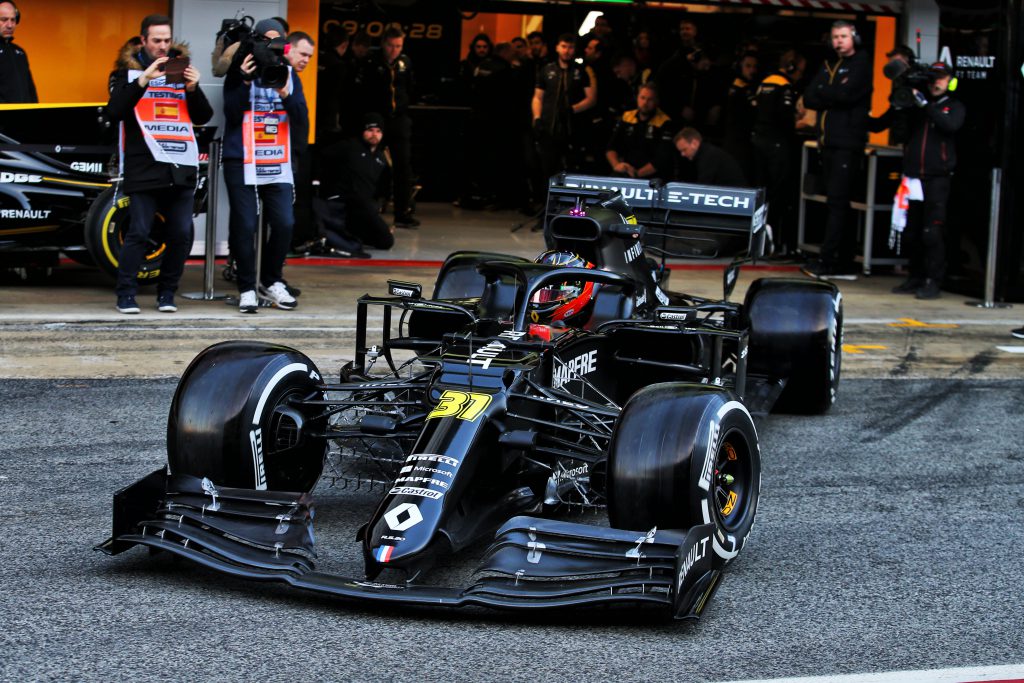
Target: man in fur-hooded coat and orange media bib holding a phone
point(160, 158)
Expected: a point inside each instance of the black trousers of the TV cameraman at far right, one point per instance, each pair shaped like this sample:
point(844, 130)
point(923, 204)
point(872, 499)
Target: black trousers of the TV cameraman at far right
point(923, 238)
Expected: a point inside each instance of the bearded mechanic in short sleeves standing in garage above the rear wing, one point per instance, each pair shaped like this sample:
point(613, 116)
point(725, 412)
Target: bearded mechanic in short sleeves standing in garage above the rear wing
point(565, 91)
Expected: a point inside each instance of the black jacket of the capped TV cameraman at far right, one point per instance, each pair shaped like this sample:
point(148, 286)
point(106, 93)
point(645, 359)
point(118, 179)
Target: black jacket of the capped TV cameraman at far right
point(931, 150)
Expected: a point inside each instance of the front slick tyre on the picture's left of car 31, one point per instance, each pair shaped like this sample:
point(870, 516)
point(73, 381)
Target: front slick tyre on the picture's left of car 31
point(234, 420)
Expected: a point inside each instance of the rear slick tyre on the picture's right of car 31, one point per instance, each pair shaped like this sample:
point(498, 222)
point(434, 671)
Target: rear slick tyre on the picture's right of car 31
point(796, 334)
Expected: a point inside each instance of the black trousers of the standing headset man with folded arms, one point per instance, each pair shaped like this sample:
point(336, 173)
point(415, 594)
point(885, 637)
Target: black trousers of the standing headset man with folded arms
point(840, 170)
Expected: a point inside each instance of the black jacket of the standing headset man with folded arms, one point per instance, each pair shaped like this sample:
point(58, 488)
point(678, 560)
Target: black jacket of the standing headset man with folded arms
point(841, 94)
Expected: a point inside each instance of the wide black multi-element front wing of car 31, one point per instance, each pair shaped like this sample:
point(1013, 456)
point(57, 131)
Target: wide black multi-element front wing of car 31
point(533, 564)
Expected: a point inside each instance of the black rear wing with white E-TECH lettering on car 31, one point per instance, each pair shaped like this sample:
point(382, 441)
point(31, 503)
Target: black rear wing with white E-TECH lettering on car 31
point(684, 221)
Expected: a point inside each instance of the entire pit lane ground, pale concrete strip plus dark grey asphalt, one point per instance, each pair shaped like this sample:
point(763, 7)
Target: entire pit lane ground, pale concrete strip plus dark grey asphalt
point(887, 539)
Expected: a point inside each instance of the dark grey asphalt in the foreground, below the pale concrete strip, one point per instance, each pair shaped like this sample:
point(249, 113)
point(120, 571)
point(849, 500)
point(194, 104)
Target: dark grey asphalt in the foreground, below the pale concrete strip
point(888, 538)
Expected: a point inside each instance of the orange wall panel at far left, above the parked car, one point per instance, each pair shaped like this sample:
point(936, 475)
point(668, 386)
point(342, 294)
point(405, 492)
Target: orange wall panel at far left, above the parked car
point(73, 46)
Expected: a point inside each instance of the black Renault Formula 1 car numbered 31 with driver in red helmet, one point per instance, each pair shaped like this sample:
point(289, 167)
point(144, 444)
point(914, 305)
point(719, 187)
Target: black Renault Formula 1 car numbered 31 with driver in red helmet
point(518, 391)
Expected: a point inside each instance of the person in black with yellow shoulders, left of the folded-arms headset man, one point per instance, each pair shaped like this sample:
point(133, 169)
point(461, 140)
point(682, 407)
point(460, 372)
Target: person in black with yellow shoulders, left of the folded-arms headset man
point(777, 148)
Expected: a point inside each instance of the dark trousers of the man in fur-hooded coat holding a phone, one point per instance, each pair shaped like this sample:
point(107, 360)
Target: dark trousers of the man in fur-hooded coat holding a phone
point(176, 204)
